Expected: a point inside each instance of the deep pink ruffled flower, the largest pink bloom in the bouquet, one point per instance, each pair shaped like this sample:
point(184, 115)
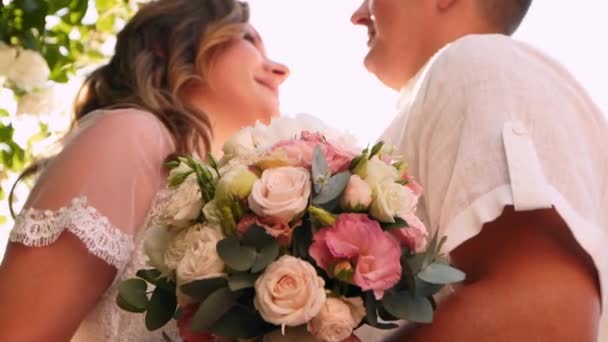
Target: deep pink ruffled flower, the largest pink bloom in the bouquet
point(374, 253)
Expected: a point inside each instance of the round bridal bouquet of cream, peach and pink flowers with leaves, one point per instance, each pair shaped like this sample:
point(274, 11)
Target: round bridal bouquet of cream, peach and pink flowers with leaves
point(291, 228)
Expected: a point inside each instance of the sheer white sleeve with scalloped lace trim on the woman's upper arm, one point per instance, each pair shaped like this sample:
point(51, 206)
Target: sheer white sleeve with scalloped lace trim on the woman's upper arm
point(100, 187)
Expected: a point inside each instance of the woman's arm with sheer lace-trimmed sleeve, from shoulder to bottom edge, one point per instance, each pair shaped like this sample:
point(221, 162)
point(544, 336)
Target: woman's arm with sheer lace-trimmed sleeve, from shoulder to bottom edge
point(76, 234)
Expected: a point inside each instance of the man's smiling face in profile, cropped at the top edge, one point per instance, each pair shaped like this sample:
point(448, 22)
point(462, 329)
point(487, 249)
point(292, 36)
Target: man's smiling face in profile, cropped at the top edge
point(400, 35)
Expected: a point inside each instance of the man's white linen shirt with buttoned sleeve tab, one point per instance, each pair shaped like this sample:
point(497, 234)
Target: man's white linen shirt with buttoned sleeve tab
point(490, 122)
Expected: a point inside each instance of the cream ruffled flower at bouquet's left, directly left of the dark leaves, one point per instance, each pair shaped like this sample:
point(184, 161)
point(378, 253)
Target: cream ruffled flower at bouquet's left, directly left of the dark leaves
point(201, 260)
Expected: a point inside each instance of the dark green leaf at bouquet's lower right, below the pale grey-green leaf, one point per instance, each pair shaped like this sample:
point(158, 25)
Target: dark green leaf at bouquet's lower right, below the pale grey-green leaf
point(402, 305)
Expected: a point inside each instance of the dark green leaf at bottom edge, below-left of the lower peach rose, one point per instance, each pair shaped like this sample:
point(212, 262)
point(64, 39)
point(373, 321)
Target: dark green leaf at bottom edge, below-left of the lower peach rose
point(241, 323)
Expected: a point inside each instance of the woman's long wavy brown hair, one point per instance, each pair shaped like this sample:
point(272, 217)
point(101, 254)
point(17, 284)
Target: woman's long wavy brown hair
point(167, 45)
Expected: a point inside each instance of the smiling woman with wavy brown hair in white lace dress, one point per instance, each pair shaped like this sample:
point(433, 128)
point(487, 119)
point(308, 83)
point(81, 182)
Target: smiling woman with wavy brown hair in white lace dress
point(185, 76)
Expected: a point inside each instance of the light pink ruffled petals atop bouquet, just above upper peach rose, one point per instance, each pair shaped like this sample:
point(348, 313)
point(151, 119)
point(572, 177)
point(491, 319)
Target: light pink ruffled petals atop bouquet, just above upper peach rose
point(300, 152)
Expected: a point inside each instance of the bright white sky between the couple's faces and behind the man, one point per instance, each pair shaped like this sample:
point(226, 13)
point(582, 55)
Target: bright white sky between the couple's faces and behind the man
point(325, 53)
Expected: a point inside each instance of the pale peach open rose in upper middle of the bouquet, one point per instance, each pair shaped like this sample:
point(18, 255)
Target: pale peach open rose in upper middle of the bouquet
point(281, 193)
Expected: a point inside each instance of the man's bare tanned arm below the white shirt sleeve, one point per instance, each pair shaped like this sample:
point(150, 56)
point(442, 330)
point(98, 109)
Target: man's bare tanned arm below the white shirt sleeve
point(527, 280)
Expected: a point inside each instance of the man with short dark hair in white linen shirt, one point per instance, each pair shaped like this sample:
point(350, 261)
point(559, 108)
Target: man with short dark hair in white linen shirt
point(511, 152)
